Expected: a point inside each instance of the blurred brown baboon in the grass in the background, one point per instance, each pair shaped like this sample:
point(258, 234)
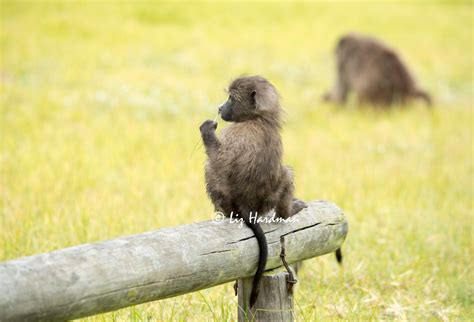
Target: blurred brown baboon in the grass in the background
point(374, 71)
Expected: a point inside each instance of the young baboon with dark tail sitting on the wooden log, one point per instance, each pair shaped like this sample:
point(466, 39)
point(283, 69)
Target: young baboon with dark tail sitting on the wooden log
point(244, 172)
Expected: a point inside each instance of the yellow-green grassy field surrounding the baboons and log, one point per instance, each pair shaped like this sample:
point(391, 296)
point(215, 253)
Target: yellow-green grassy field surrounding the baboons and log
point(101, 105)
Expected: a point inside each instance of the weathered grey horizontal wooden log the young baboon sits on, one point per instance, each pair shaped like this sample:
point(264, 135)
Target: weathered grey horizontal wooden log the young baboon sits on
point(94, 278)
